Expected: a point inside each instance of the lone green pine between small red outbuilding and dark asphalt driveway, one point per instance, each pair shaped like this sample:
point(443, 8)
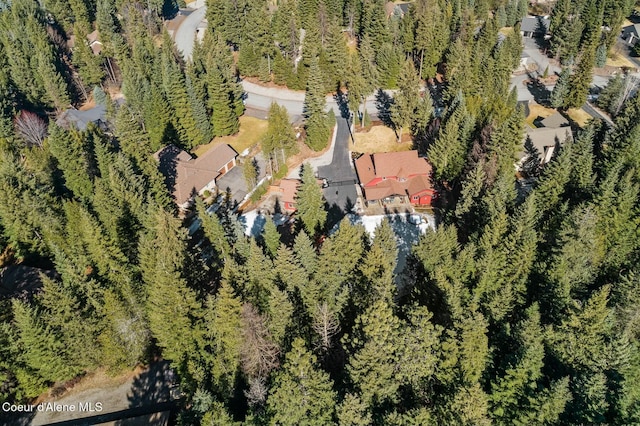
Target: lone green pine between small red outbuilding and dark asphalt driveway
point(310, 202)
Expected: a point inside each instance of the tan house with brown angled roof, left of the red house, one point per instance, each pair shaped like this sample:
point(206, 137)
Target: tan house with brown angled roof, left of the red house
point(186, 176)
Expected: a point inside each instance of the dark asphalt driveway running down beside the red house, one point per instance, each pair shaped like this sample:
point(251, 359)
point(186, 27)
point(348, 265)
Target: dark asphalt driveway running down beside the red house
point(342, 195)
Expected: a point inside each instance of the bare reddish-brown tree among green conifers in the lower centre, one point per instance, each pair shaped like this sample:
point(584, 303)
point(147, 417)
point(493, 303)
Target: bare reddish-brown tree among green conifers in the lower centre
point(259, 354)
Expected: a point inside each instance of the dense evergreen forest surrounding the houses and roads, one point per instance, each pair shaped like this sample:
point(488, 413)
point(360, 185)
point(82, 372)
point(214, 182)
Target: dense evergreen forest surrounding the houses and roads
point(521, 308)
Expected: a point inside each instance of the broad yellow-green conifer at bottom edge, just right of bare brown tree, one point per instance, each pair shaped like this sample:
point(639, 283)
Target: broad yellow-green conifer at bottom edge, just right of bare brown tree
point(302, 393)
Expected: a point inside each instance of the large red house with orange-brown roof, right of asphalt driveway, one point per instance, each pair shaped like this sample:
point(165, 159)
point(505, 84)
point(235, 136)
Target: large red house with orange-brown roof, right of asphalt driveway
point(395, 177)
